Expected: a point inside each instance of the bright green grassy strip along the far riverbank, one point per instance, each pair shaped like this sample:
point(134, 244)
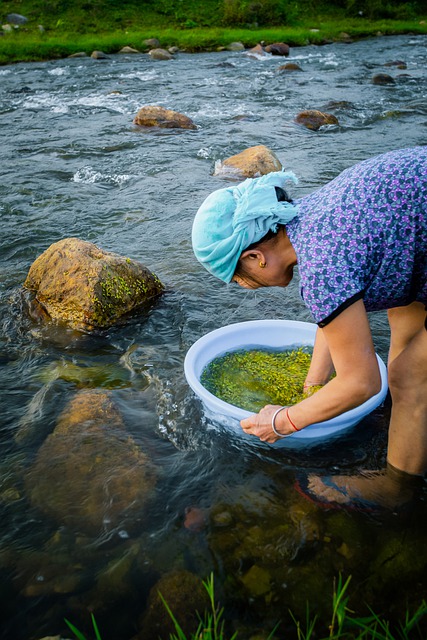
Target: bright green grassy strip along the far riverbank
point(33, 43)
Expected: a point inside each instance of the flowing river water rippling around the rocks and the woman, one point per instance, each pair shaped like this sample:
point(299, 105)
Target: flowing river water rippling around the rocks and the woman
point(74, 165)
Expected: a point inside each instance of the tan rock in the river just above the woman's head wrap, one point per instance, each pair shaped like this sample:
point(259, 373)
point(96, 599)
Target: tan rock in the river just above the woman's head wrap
point(250, 163)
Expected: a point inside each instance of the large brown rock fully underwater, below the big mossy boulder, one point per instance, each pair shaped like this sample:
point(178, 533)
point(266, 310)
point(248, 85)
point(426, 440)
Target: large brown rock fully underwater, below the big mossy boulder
point(89, 474)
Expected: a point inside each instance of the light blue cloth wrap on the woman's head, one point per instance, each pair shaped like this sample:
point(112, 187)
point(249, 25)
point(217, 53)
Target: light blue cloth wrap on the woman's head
point(231, 219)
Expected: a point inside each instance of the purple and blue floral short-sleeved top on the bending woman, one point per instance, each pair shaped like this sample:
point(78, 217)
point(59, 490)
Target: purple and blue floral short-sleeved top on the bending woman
point(364, 235)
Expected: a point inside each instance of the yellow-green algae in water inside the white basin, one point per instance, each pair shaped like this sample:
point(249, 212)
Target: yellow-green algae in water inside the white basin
point(252, 378)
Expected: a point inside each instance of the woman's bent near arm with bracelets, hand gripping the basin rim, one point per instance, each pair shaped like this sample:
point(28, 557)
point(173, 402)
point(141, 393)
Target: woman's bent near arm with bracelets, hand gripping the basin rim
point(349, 341)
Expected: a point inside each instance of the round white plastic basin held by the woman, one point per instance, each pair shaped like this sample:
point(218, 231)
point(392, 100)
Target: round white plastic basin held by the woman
point(270, 334)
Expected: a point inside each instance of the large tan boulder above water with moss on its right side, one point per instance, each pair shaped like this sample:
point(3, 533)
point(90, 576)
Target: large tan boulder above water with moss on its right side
point(87, 288)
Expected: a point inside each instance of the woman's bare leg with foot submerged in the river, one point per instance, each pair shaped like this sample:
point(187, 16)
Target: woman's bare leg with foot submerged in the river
point(407, 440)
